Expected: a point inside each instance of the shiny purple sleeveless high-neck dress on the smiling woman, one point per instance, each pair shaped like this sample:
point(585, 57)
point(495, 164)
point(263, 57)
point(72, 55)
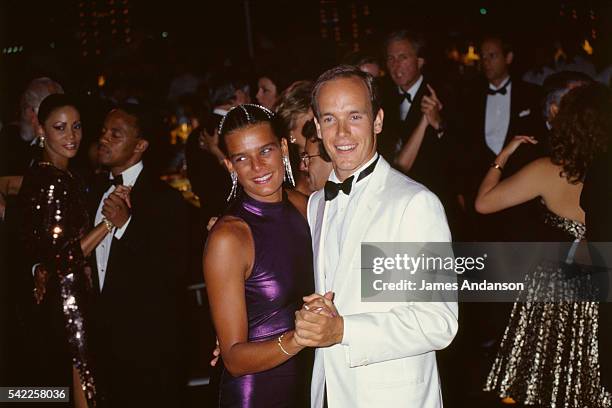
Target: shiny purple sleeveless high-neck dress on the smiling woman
point(282, 274)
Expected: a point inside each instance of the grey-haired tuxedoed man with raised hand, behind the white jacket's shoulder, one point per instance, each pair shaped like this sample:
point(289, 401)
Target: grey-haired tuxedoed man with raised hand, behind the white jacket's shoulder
point(402, 104)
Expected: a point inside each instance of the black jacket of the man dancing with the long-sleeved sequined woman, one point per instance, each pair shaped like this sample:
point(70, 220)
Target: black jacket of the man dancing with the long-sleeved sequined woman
point(139, 310)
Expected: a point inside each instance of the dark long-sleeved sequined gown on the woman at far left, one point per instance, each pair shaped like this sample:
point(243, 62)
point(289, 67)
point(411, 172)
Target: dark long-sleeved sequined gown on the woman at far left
point(55, 218)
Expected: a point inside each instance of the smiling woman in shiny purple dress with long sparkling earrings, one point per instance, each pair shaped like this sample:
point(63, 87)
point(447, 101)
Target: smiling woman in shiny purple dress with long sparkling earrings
point(257, 267)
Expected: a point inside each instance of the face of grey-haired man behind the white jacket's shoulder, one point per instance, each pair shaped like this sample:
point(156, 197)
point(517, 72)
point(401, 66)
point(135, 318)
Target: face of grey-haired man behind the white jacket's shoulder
point(403, 64)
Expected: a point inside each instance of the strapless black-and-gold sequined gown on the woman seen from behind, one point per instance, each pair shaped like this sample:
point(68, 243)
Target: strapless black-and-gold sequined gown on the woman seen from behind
point(548, 356)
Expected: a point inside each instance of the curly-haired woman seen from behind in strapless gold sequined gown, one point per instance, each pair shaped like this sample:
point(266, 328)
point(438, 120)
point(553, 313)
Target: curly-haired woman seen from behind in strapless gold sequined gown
point(548, 355)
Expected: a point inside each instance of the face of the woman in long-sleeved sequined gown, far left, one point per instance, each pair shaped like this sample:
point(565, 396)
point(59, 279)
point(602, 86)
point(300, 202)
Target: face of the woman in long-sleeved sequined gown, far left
point(62, 132)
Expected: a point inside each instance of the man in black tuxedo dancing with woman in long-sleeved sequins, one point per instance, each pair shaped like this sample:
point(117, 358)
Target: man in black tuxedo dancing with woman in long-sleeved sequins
point(140, 271)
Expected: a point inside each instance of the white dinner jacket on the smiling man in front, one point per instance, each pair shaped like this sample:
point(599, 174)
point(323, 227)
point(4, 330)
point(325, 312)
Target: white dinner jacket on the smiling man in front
point(387, 355)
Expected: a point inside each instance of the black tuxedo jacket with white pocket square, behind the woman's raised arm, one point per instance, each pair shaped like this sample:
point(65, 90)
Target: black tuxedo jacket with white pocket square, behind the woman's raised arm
point(512, 224)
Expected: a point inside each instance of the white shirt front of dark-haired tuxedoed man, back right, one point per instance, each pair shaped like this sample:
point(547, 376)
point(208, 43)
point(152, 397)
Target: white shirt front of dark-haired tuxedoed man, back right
point(497, 117)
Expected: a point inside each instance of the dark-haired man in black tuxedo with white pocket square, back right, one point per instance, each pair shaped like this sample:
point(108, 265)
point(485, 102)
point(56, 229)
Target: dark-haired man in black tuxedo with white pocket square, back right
point(496, 110)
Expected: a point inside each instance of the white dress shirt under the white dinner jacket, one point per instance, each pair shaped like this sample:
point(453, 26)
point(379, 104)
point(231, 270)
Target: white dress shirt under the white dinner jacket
point(338, 215)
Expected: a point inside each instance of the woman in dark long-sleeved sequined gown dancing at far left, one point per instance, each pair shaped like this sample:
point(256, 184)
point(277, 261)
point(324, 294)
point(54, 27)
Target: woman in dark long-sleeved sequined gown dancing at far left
point(57, 238)
